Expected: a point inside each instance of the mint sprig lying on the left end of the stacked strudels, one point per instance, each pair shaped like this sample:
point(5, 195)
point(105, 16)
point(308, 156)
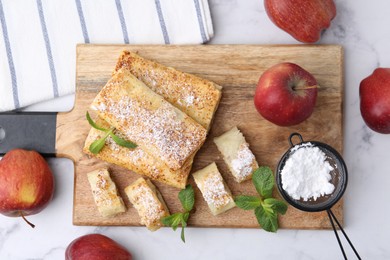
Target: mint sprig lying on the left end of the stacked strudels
point(98, 145)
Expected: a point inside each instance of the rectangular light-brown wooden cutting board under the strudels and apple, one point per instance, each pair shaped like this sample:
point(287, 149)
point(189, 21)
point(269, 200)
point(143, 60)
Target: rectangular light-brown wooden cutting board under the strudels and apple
point(236, 68)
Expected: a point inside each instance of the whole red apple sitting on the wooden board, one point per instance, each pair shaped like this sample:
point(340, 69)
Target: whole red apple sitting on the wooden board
point(286, 94)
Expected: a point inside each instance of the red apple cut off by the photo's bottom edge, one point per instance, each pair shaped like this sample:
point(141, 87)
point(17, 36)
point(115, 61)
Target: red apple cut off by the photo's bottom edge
point(96, 247)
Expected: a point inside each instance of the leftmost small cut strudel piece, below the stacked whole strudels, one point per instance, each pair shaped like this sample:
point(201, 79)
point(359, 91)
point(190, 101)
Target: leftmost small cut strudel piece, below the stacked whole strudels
point(105, 193)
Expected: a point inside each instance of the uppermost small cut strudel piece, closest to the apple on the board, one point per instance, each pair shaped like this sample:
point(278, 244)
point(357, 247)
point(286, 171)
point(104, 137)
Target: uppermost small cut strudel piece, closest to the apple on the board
point(236, 154)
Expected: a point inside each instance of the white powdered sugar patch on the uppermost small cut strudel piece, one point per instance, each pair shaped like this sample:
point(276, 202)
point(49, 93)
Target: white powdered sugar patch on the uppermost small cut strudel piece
point(243, 164)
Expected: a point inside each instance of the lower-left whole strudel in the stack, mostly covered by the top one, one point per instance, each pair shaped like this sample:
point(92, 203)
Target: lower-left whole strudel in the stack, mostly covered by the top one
point(137, 160)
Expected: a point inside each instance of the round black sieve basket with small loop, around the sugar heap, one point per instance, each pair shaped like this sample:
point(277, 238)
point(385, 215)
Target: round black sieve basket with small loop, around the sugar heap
point(339, 177)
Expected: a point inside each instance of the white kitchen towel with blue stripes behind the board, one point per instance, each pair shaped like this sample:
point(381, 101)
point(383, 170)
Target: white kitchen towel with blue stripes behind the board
point(39, 37)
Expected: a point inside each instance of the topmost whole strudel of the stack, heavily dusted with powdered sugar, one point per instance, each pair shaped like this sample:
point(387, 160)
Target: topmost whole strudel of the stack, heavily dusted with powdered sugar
point(161, 129)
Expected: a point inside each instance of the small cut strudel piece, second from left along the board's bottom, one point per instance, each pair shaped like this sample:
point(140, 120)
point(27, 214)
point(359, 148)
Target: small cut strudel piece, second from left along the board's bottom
point(149, 203)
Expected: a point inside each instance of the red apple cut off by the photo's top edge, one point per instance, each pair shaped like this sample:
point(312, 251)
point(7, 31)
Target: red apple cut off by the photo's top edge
point(302, 19)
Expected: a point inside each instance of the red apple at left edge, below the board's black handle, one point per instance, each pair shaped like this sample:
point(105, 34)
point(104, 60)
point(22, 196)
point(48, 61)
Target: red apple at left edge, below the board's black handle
point(26, 183)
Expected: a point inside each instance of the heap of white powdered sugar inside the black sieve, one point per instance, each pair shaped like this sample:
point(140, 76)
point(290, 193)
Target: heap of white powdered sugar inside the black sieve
point(306, 173)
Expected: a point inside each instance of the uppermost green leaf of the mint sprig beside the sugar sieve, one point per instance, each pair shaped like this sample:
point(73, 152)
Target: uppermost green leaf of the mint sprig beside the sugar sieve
point(263, 180)
